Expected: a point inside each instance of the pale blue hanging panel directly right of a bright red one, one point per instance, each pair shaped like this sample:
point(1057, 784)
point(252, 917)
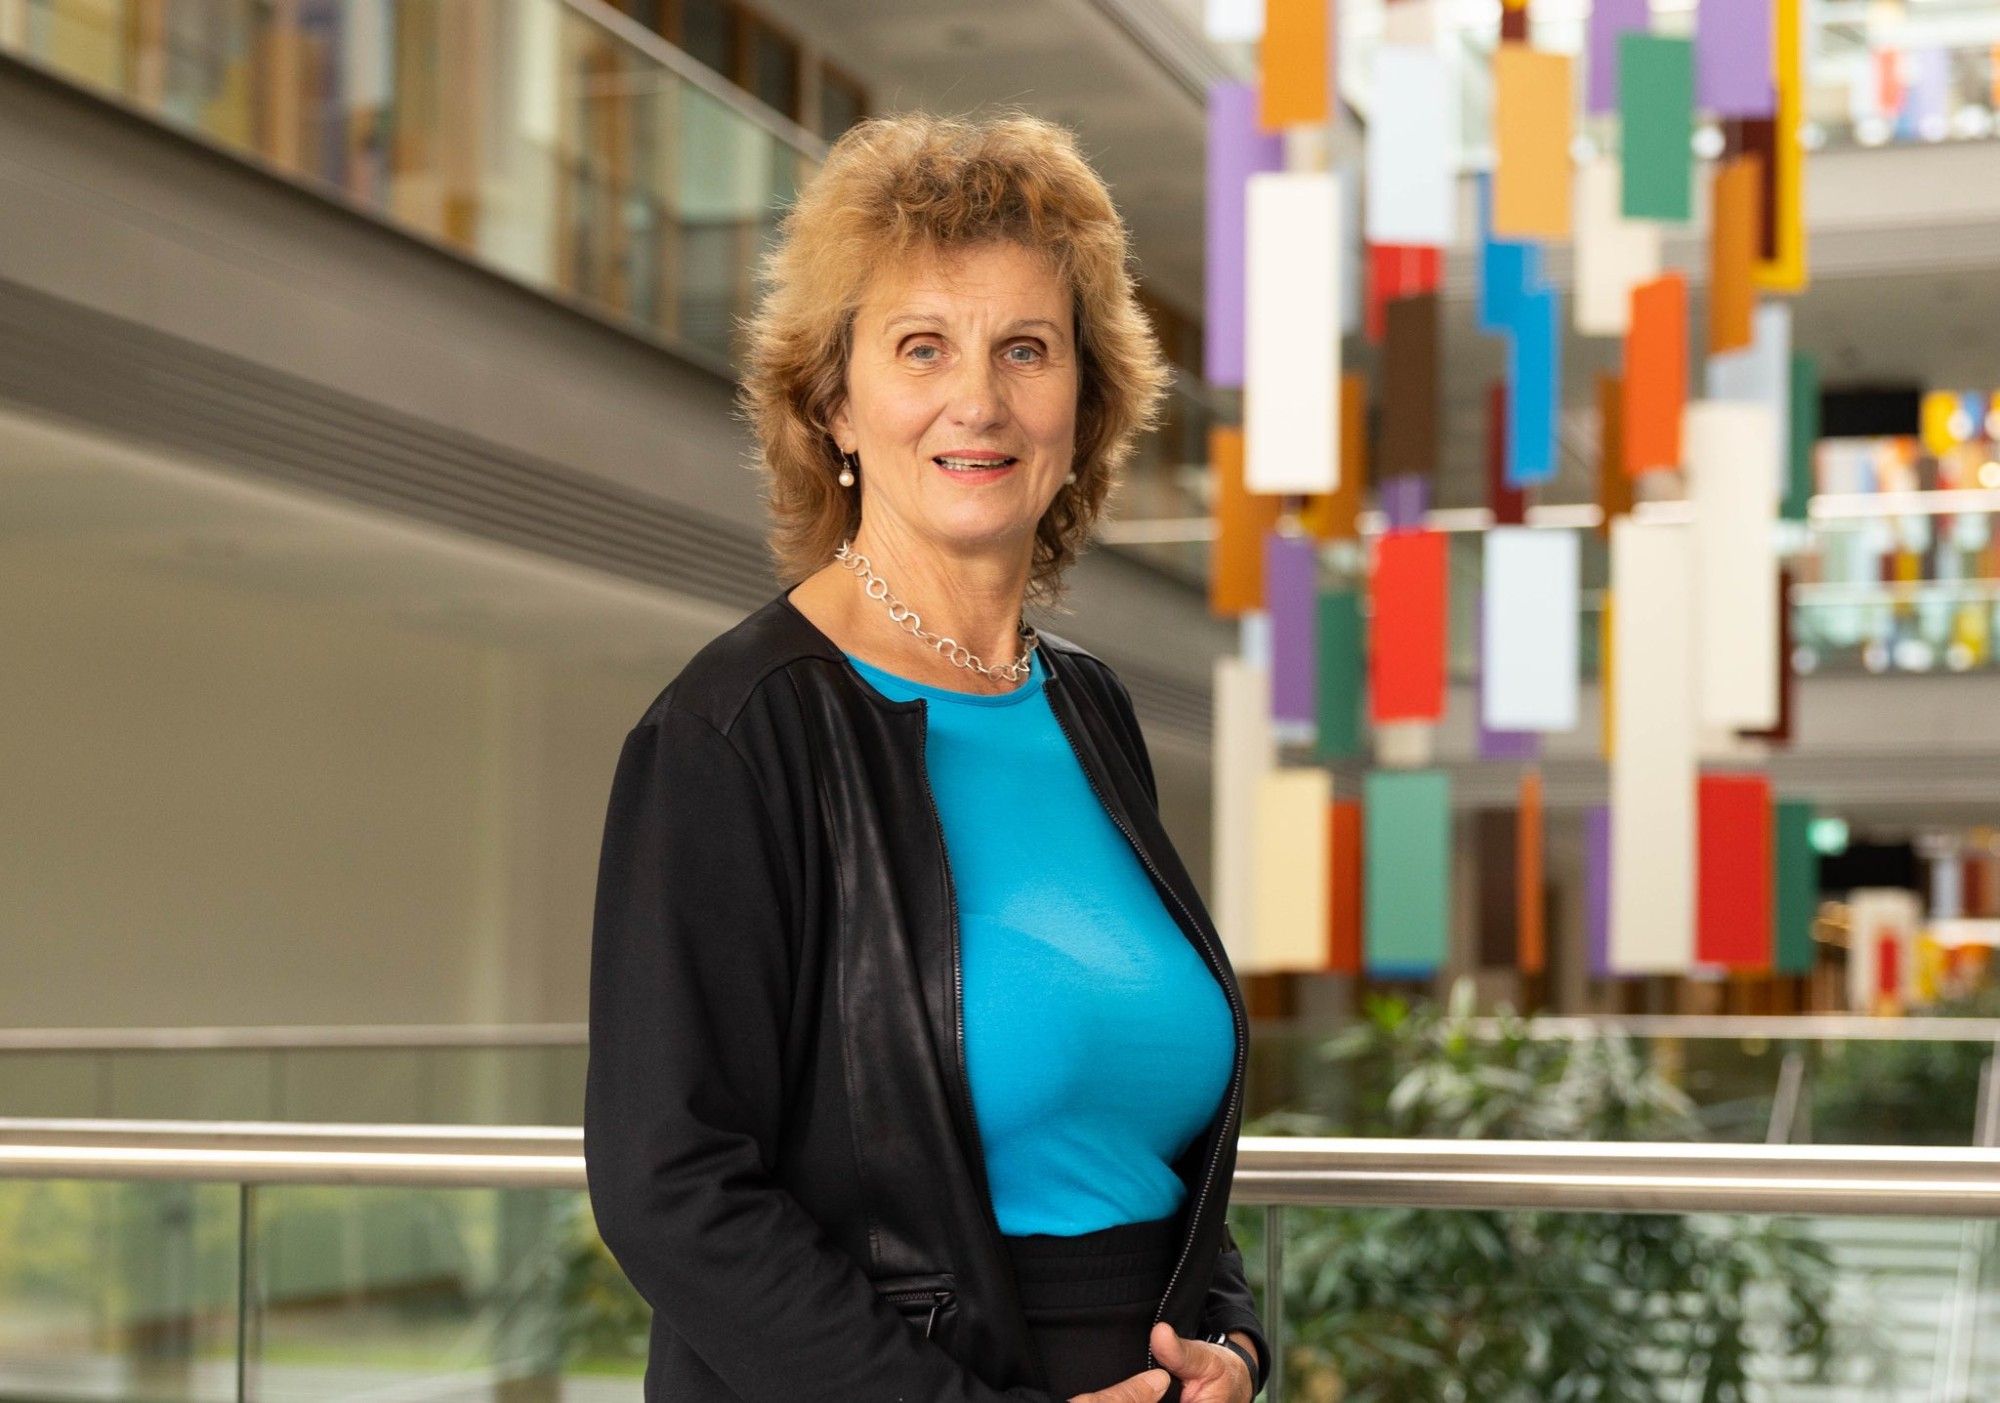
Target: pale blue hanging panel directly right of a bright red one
point(1529, 631)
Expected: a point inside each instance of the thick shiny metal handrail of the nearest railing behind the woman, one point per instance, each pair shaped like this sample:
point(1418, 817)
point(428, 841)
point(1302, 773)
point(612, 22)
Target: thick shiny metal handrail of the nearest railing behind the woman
point(1271, 1170)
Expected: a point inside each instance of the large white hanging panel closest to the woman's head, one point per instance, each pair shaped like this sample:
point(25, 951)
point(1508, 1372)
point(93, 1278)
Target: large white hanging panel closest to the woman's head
point(1293, 333)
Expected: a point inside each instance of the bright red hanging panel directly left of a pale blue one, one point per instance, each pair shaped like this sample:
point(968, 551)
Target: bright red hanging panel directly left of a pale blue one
point(1407, 629)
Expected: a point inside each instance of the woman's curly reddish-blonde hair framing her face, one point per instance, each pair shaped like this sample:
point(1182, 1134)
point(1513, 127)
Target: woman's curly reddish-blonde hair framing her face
point(913, 185)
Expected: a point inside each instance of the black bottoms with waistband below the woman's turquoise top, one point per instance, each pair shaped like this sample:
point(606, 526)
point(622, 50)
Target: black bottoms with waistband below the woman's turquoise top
point(1091, 1300)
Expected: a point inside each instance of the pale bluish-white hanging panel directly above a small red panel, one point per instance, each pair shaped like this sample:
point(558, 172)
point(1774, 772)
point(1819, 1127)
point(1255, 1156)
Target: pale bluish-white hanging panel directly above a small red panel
point(1413, 163)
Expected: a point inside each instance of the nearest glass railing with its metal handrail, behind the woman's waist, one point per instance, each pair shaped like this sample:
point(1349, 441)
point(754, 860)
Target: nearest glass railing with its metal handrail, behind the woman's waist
point(213, 1262)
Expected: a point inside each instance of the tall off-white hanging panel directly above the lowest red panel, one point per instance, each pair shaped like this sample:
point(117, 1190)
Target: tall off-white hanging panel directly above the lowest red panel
point(1731, 463)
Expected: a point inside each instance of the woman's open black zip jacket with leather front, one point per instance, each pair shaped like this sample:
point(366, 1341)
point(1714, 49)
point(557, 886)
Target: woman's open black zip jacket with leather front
point(777, 1124)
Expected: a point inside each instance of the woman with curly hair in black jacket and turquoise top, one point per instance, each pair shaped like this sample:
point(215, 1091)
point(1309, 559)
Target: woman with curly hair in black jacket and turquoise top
point(915, 1058)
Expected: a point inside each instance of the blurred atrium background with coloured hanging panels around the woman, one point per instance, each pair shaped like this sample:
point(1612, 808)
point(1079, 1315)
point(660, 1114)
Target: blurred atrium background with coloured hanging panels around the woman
point(367, 467)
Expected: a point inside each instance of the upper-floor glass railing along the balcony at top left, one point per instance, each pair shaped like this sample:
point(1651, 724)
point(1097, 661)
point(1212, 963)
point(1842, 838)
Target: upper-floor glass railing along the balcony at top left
point(551, 141)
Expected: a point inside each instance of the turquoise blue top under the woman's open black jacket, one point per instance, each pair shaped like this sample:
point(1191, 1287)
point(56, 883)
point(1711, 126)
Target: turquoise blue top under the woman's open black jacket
point(1097, 1040)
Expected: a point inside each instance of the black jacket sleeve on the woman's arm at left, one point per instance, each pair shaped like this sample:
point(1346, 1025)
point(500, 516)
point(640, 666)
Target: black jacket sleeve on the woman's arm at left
point(691, 986)
